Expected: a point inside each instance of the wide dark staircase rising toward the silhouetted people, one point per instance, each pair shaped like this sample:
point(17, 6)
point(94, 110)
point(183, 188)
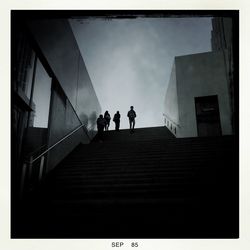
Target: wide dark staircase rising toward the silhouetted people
point(142, 185)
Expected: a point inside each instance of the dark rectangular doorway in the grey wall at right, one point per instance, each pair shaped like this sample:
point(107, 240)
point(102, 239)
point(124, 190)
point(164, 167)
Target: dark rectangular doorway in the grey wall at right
point(208, 116)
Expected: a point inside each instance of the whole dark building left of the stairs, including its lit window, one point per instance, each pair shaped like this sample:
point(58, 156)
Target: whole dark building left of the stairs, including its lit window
point(53, 101)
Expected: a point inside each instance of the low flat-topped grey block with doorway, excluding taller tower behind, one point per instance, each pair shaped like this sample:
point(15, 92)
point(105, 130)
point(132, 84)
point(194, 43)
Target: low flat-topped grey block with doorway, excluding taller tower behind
point(197, 101)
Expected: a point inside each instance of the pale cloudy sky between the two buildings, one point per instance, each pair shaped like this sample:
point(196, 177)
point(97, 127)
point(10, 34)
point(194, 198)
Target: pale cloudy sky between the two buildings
point(129, 61)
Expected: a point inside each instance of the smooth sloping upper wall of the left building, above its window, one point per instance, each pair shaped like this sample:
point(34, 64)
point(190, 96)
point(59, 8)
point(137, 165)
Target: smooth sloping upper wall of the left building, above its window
point(57, 43)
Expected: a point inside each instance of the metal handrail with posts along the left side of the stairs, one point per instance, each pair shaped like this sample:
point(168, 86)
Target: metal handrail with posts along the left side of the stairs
point(28, 164)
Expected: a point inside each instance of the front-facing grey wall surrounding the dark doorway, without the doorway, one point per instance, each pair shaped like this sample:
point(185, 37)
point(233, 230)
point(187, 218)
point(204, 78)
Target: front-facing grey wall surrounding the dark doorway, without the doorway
point(201, 75)
